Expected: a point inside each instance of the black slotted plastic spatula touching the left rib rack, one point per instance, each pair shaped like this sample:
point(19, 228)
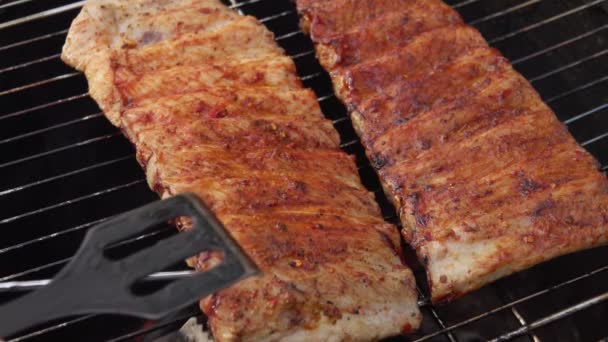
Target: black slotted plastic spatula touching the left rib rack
point(93, 283)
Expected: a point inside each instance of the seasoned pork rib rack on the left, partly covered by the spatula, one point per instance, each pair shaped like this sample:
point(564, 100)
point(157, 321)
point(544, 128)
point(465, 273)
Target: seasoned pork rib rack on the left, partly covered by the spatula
point(214, 107)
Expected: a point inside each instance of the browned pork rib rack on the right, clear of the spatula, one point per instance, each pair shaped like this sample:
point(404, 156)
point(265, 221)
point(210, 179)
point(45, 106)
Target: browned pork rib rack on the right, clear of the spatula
point(485, 178)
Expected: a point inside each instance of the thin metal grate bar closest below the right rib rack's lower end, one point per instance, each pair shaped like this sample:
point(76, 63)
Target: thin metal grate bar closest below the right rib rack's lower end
point(515, 302)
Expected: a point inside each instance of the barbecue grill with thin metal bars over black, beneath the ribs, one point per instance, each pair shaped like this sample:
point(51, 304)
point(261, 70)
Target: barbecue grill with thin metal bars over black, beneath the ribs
point(65, 168)
